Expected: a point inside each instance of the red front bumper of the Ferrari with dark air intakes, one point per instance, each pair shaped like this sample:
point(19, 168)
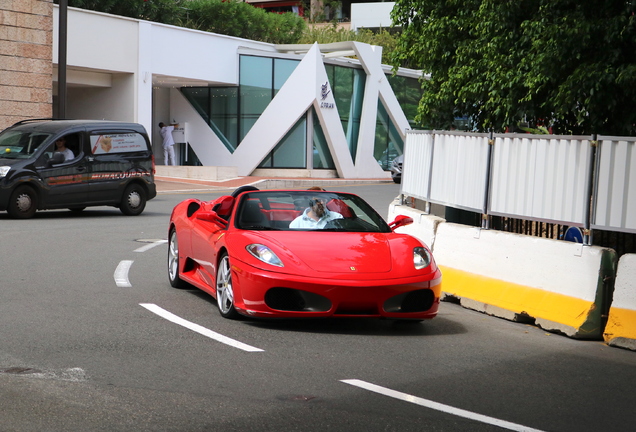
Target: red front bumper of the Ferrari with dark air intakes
point(260, 293)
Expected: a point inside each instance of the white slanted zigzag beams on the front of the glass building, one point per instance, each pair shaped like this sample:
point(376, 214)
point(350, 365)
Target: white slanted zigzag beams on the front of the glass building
point(308, 86)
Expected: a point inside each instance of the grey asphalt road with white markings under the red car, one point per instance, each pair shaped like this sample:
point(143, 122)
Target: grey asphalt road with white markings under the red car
point(83, 348)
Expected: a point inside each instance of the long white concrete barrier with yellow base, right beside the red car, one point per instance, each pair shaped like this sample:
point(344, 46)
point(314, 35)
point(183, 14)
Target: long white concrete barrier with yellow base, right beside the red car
point(560, 286)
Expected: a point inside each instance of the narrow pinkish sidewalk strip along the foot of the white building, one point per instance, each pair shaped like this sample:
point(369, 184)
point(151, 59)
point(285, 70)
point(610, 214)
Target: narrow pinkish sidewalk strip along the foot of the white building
point(174, 184)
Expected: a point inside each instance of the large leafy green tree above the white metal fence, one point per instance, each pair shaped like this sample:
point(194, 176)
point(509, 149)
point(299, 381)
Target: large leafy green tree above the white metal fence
point(571, 63)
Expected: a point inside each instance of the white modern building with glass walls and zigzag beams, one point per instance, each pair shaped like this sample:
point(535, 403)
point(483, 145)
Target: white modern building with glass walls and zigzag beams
point(240, 103)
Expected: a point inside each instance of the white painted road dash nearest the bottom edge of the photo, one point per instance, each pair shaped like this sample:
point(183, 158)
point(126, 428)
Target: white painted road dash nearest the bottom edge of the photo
point(438, 406)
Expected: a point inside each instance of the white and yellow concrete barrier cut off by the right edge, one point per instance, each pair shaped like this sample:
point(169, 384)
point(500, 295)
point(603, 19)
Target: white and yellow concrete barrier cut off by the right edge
point(621, 324)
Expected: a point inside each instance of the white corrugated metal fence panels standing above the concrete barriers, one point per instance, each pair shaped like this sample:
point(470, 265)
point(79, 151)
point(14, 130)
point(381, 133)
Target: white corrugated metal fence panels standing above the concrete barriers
point(571, 180)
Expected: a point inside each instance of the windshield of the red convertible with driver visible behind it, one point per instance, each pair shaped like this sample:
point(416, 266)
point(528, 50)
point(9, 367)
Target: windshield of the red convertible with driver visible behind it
point(307, 211)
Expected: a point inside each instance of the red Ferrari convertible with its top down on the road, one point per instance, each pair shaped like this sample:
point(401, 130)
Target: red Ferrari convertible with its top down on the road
point(301, 253)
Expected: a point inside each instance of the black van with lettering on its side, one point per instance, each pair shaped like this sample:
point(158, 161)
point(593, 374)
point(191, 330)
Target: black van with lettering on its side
point(109, 163)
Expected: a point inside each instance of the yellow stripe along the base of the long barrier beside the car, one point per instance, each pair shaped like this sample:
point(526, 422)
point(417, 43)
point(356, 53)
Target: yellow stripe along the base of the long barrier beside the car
point(535, 302)
